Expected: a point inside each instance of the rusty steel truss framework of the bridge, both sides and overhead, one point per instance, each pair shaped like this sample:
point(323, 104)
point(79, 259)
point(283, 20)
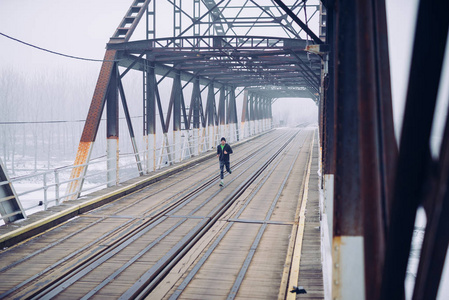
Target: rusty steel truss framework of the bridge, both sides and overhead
point(373, 184)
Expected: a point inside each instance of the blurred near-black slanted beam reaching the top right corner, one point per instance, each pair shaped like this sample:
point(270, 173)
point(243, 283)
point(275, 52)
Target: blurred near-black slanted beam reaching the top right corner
point(411, 180)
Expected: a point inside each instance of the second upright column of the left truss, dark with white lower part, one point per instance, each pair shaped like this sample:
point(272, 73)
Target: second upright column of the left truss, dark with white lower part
point(151, 117)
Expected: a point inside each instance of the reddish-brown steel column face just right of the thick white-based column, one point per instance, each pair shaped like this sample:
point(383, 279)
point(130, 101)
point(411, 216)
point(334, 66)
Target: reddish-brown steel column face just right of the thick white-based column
point(370, 147)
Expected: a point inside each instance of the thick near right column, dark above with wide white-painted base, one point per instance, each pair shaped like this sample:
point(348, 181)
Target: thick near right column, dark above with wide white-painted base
point(348, 243)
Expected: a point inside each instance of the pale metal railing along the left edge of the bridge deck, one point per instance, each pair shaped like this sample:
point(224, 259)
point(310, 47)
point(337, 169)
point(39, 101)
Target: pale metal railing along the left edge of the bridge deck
point(41, 190)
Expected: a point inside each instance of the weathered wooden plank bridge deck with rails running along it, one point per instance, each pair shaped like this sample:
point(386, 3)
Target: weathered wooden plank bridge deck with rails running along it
point(266, 241)
